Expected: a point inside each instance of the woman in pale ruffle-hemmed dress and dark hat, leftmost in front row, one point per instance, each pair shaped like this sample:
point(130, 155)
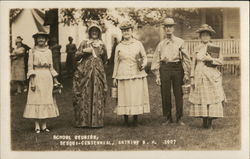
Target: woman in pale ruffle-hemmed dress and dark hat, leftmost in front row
point(42, 76)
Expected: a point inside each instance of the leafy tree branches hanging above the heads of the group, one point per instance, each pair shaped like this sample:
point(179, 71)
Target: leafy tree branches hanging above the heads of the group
point(141, 16)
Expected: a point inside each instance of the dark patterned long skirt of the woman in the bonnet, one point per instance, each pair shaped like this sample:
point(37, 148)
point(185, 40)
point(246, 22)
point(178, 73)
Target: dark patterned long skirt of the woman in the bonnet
point(89, 93)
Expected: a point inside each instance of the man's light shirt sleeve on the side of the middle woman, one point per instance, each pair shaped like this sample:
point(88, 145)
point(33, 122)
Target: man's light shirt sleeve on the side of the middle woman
point(155, 66)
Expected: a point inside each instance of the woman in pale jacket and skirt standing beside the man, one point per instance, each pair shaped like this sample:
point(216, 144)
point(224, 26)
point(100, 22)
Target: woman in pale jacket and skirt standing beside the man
point(130, 77)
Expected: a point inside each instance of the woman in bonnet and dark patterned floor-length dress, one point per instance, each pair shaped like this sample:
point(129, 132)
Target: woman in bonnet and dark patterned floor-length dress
point(89, 80)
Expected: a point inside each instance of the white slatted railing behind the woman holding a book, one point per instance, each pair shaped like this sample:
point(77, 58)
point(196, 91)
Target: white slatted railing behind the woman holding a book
point(230, 50)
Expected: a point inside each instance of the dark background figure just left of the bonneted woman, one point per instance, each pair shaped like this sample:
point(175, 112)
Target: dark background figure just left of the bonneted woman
point(70, 61)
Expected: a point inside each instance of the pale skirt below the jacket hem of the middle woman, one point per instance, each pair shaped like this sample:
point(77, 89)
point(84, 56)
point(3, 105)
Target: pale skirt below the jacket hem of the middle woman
point(133, 98)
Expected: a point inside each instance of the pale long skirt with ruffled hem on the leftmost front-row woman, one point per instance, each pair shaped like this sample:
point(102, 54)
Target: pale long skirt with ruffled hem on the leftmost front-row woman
point(40, 103)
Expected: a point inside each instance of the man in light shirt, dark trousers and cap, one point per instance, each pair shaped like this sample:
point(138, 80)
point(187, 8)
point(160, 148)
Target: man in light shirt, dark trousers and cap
point(171, 66)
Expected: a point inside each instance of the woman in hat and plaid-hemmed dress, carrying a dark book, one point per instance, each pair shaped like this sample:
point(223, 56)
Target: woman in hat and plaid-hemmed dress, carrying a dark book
point(207, 94)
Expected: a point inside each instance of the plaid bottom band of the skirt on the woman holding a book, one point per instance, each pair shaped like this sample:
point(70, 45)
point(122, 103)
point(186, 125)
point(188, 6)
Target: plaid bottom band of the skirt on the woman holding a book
point(211, 110)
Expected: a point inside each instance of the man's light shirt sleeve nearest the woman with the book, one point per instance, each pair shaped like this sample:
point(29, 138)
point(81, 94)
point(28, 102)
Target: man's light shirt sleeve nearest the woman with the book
point(185, 59)
